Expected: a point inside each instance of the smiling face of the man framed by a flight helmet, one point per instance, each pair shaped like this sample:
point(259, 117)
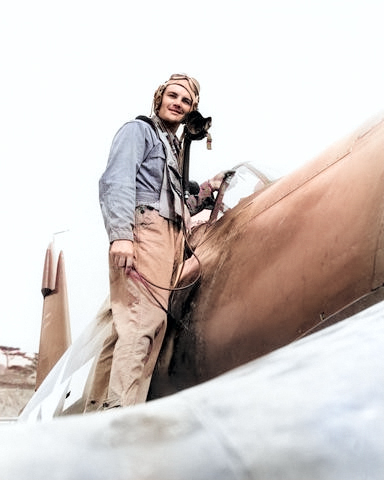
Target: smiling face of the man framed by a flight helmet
point(175, 104)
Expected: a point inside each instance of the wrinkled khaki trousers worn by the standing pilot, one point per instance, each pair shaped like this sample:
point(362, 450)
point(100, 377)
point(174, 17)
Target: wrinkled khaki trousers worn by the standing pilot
point(138, 312)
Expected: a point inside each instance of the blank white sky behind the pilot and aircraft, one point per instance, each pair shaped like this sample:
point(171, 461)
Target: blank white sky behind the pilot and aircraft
point(281, 79)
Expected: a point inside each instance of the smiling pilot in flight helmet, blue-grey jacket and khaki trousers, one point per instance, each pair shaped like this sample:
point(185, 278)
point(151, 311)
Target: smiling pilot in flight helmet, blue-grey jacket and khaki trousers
point(142, 205)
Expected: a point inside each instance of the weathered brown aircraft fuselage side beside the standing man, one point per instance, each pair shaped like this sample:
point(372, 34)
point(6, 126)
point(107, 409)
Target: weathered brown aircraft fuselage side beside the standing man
point(279, 262)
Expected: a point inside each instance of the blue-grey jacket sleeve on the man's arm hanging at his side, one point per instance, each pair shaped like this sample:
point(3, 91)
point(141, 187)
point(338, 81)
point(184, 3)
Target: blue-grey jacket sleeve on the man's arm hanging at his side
point(117, 185)
